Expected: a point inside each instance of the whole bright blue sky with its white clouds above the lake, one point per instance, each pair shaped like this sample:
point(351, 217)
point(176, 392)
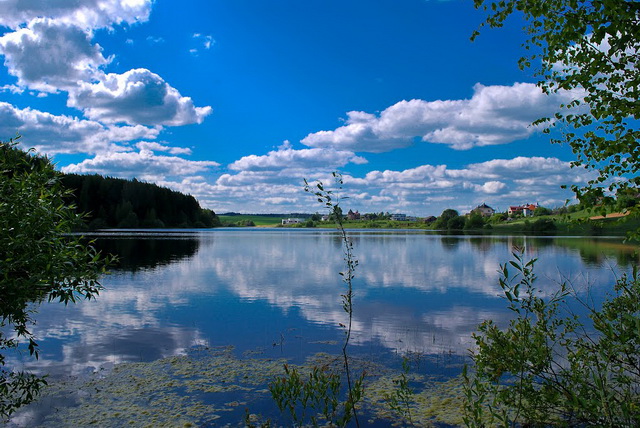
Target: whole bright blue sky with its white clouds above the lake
point(237, 101)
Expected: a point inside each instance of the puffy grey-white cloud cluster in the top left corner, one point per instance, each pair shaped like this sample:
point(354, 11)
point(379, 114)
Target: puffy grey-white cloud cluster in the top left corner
point(51, 50)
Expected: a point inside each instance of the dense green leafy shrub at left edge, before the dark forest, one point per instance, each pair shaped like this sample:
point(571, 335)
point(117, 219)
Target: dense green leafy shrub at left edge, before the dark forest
point(38, 261)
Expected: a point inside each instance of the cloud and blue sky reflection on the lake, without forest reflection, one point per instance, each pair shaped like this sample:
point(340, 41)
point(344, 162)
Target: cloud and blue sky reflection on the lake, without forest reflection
point(413, 292)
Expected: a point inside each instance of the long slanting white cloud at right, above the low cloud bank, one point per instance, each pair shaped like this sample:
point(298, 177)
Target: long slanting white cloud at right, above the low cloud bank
point(493, 115)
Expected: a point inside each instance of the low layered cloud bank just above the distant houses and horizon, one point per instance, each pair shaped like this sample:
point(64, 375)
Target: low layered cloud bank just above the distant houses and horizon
point(270, 182)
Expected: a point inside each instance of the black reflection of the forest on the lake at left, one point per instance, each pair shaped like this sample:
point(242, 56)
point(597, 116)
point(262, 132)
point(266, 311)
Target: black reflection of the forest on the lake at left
point(135, 253)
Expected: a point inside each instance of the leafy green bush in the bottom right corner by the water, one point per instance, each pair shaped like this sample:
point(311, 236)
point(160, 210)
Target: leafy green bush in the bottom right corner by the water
point(548, 367)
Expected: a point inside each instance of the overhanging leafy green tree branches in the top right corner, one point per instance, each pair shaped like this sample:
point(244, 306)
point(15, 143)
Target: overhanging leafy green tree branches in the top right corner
point(593, 49)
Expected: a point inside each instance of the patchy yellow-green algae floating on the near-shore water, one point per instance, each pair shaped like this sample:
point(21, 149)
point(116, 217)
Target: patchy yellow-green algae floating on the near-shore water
point(213, 387)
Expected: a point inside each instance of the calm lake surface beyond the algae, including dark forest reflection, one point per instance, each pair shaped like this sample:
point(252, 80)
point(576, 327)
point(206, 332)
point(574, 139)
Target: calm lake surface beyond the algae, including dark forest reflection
point(274, 294)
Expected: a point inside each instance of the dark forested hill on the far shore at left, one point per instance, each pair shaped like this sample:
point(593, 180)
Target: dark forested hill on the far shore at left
point(115, 202)
